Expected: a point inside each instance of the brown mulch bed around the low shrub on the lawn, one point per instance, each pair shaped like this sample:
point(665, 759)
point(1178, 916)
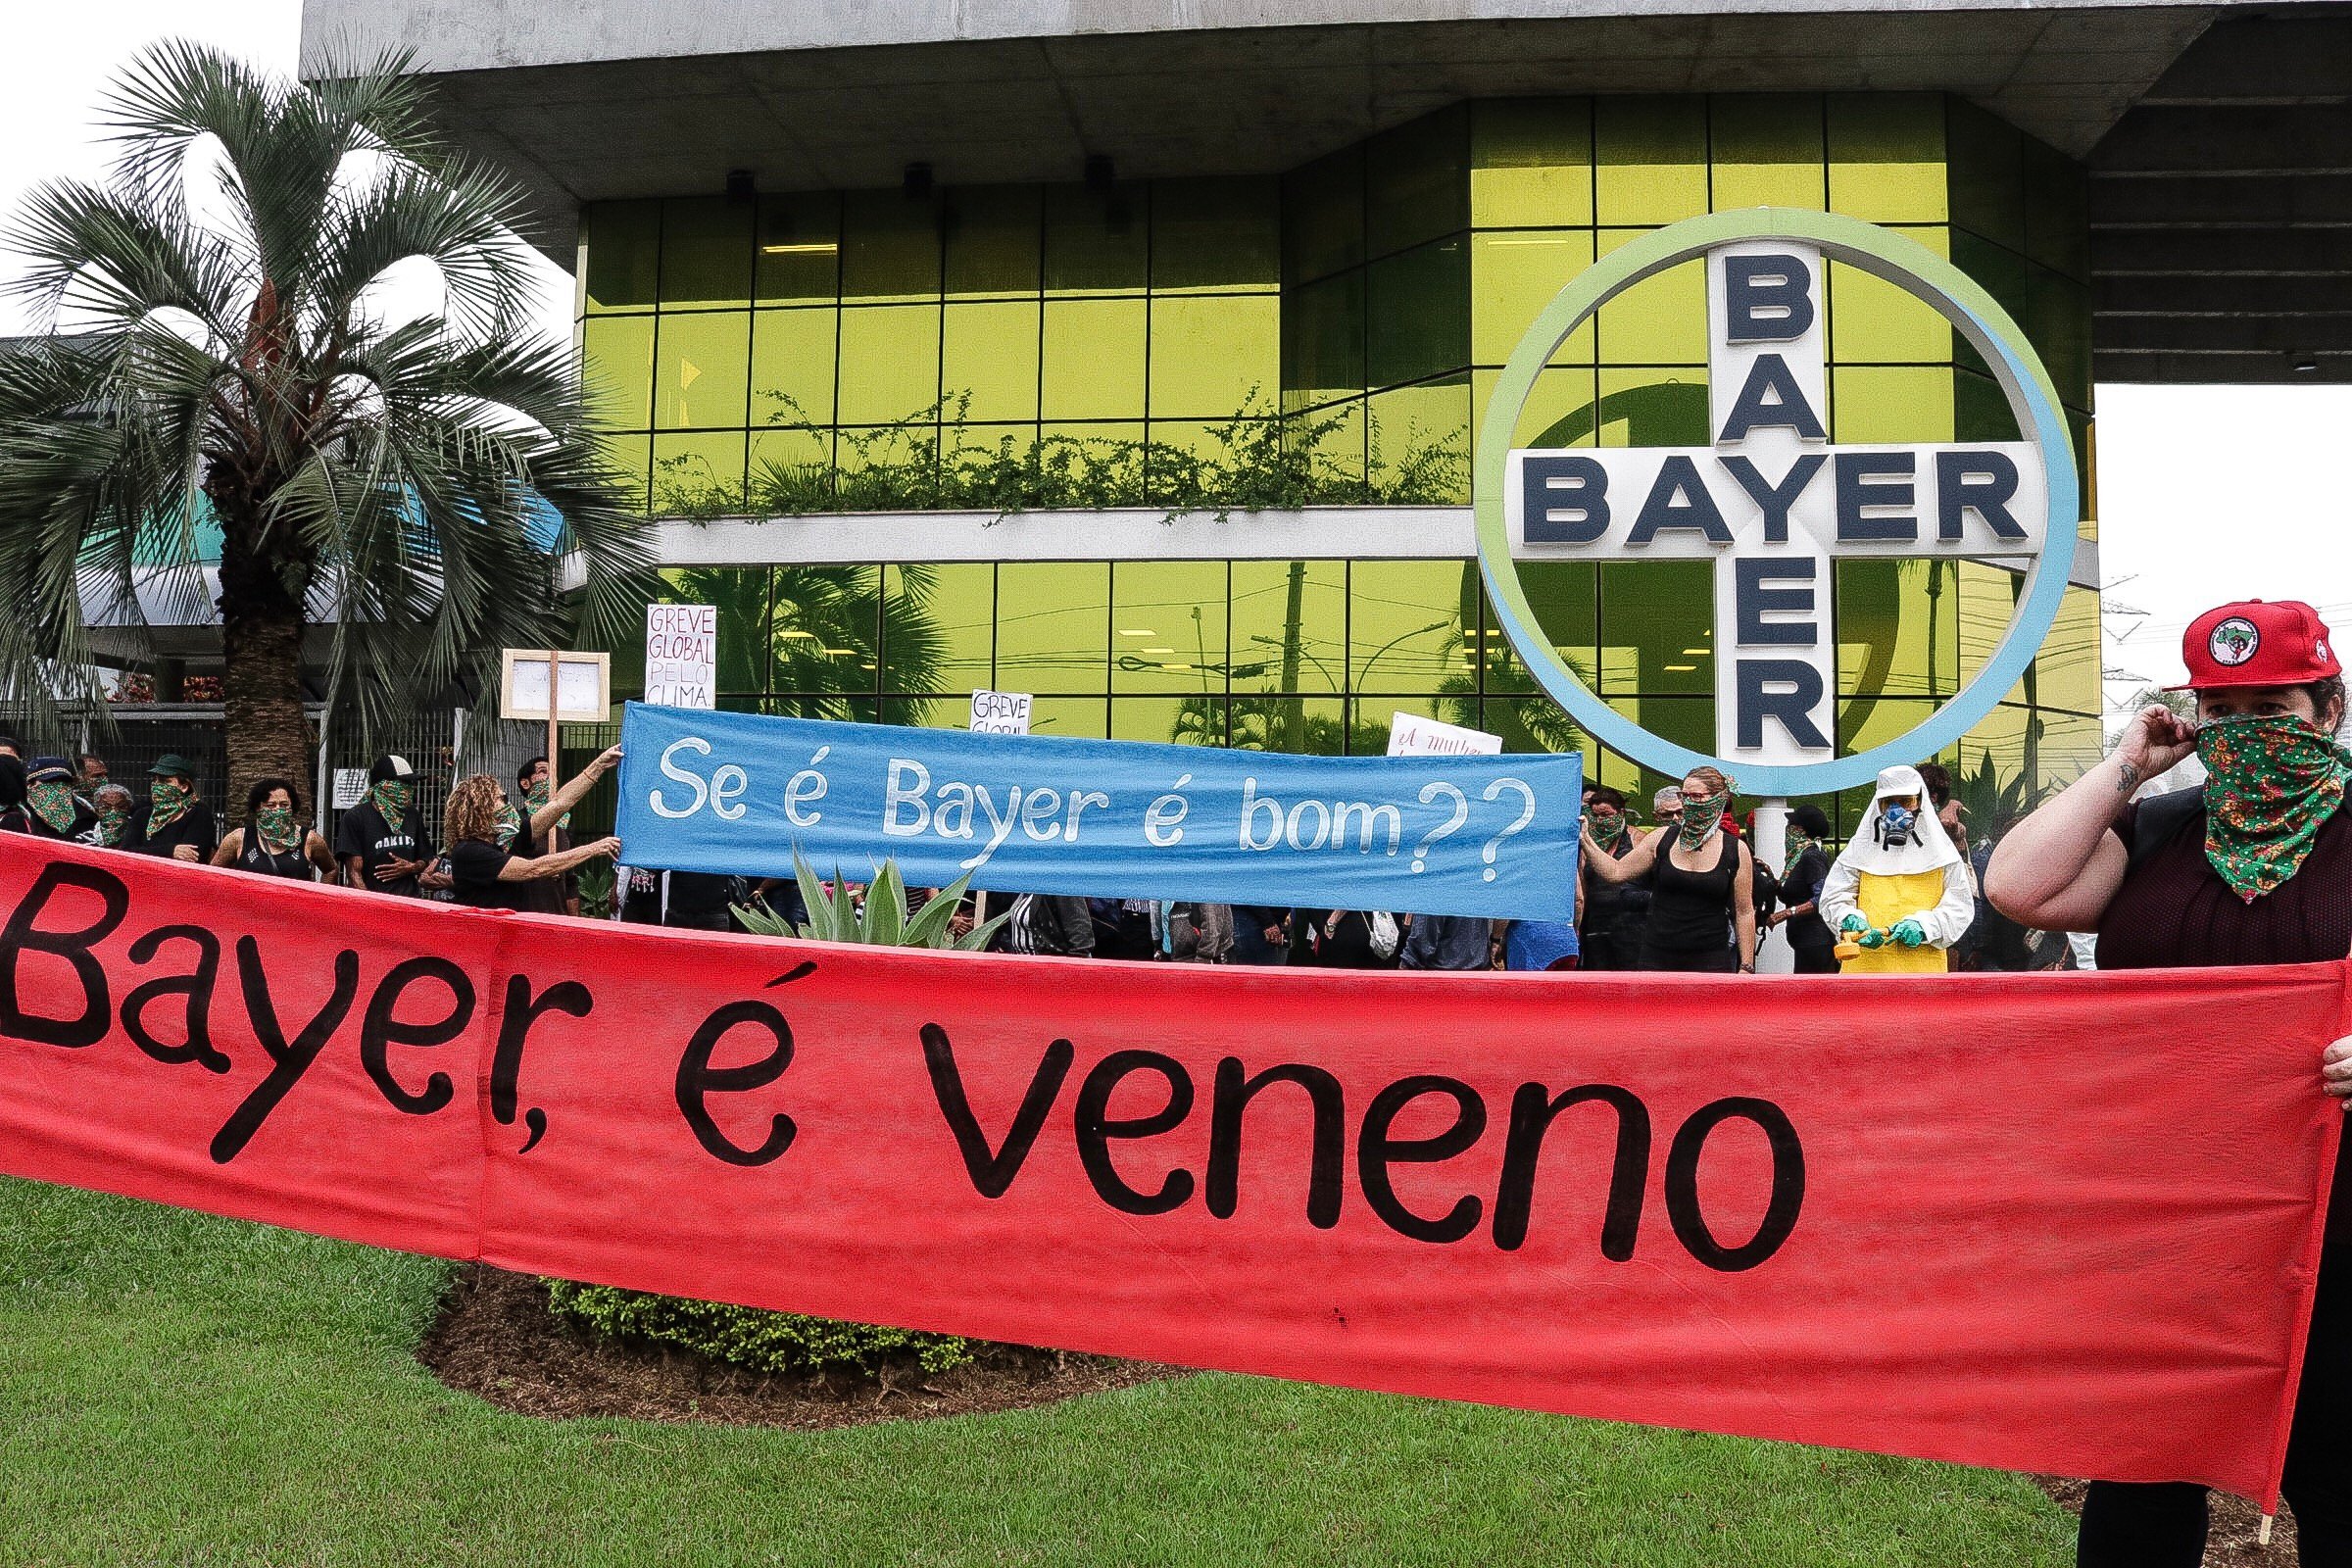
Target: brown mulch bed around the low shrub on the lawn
point(497, 1339)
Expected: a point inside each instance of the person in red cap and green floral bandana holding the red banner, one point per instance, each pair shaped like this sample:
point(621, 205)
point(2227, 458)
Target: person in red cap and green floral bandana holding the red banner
point(2250, 869)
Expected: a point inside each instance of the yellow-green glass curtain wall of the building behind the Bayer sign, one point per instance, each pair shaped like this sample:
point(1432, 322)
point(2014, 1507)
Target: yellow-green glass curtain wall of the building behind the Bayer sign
point(1372, 300)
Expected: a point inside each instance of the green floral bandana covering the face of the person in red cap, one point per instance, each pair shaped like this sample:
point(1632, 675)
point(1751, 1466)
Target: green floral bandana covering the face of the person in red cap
point(2271, 786)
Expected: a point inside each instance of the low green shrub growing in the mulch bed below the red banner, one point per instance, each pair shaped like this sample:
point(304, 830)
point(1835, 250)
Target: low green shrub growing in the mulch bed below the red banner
point(749, 1336)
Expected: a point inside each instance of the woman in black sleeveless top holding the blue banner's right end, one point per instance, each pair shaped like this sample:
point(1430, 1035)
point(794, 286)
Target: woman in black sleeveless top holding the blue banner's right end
point(1702, 906)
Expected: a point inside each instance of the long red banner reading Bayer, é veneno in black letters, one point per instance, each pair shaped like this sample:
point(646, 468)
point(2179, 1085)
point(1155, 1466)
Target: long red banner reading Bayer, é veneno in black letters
point(2057, 1224)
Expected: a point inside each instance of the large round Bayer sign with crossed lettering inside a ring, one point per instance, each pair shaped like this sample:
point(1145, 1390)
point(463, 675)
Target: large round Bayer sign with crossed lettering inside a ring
point(1772, 502)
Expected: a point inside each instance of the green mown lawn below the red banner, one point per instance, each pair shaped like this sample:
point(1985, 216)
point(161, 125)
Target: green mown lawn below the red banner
point(194, 1391)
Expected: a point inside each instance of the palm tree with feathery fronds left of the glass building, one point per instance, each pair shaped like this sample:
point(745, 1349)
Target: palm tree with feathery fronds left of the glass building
point(220, 361)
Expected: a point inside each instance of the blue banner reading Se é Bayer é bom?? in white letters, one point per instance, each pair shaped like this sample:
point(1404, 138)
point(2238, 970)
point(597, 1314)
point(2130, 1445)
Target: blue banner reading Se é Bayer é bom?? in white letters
point(1102, 819)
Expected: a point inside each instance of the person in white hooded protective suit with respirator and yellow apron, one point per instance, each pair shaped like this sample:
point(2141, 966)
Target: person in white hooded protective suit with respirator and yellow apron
point(1899, 892)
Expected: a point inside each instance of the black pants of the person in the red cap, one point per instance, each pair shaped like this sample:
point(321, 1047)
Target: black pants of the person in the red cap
point(2163, 1527)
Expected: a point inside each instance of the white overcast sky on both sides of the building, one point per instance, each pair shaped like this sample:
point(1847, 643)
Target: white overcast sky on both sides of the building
point(2205, 495)
